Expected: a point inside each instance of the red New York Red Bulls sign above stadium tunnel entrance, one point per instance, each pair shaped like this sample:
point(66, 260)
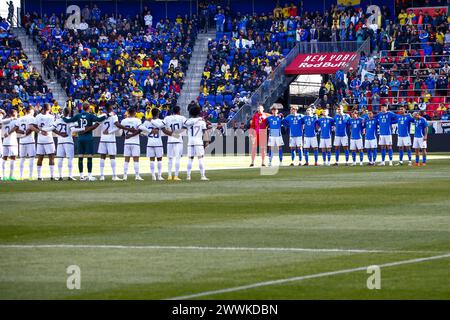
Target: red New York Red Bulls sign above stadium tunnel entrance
point(322, 63)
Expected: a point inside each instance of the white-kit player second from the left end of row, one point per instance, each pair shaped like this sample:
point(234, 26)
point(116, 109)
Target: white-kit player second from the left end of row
point(27, 143)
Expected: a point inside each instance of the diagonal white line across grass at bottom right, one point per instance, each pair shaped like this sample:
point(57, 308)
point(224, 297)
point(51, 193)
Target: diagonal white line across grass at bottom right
point(300, 278)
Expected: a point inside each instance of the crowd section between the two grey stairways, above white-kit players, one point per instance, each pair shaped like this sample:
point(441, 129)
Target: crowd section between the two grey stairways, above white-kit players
point(108, 58)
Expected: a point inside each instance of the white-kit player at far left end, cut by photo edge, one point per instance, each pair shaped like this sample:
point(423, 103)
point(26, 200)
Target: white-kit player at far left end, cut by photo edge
point(9, 127)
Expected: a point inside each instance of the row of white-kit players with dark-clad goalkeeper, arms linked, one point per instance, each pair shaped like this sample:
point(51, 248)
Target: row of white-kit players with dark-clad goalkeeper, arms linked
point(18, 139)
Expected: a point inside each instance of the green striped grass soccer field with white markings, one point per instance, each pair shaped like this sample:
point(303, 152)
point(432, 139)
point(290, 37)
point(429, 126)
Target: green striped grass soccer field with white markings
point(304, 233)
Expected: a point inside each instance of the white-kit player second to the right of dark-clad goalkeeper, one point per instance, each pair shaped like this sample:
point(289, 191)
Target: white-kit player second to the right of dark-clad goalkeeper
point(132, 147)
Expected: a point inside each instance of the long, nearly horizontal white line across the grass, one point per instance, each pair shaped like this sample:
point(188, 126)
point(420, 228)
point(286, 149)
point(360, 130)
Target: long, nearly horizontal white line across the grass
point(208, 248)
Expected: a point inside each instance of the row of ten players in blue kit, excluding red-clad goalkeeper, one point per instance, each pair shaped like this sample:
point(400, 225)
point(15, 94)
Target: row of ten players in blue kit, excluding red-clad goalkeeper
point(375, 129)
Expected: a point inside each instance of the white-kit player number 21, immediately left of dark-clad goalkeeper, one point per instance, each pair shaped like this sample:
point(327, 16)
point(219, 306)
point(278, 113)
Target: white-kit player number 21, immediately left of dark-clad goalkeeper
point(65, 149)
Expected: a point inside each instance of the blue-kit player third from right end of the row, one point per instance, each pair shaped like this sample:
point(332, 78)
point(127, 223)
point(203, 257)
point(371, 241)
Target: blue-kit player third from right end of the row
point(385, 121)
